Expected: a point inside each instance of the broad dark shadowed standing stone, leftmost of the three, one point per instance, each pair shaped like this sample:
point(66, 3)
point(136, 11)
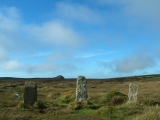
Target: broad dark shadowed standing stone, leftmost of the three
point(30, 93)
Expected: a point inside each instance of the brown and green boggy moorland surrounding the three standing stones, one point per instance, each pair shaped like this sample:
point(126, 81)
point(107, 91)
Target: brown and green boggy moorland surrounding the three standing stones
point(57, 100)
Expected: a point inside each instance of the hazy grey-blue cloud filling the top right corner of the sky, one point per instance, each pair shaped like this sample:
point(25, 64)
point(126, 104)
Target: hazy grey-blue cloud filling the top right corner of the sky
point(135, 11)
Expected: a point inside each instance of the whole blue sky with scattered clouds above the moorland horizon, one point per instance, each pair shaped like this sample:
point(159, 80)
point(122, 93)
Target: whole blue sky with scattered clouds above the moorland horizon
point(94, 38)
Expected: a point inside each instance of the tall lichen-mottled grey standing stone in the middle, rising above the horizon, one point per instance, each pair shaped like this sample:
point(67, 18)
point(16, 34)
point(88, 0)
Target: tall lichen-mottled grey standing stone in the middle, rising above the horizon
point(81, 90)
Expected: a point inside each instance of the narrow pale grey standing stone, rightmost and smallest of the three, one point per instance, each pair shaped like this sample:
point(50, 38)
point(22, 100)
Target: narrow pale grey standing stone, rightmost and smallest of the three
point(133, 92)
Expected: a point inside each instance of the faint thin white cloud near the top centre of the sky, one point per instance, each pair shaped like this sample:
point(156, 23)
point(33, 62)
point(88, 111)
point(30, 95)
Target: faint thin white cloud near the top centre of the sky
point(79, 12)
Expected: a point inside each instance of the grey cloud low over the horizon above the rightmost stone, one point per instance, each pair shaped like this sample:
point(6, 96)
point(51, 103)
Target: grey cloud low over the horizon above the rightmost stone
point(144, 58)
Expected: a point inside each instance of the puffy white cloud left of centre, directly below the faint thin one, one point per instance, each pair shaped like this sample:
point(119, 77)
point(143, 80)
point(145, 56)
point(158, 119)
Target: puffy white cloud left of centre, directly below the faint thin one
point(56, 33)
